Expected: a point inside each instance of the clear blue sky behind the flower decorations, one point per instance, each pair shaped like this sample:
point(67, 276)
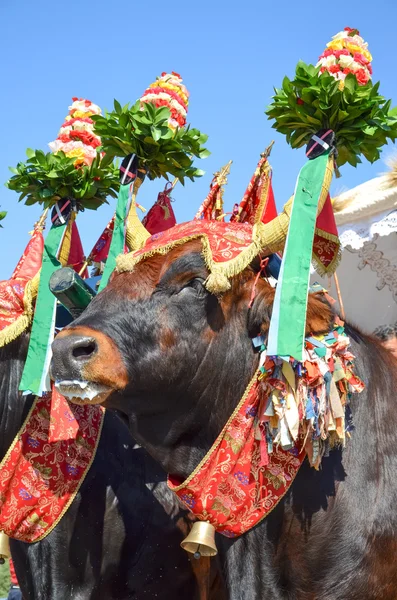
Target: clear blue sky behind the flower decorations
point(230, 55)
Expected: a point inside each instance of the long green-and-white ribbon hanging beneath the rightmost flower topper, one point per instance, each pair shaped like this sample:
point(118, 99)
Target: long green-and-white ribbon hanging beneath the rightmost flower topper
point(288, 322)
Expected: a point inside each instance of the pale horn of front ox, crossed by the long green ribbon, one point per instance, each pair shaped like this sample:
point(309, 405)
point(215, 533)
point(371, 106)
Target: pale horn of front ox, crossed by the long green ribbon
point(272, 236)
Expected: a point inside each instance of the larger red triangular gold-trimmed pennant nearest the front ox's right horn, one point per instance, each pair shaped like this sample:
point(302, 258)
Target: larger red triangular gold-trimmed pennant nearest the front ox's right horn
point(258, 201)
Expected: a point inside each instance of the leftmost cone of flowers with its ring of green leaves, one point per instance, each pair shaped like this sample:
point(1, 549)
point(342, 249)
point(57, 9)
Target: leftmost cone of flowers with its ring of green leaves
point(74, 169)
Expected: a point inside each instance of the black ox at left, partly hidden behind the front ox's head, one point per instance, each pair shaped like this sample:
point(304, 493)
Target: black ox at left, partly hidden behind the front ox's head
point(119, 539)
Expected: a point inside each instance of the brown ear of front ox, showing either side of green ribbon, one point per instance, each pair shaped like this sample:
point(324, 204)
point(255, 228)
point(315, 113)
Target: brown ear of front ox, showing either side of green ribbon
point(319, 318)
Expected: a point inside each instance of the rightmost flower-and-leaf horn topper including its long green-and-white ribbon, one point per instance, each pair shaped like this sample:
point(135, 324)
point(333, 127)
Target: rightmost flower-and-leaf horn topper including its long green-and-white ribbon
point(336, 111)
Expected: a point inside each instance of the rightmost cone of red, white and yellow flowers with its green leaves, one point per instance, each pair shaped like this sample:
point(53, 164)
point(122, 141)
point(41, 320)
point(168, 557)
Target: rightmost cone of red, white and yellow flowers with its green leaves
point(336, 94)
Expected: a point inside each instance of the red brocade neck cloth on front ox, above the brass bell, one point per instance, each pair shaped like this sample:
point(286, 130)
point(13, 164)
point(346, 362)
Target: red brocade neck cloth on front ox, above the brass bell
point(231, 488)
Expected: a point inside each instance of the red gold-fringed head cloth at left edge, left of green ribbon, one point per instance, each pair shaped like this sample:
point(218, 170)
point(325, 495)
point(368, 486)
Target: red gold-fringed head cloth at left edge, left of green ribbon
point(13, 300)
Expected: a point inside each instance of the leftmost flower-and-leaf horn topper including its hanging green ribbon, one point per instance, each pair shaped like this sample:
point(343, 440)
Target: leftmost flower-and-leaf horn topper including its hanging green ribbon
point(74, 176)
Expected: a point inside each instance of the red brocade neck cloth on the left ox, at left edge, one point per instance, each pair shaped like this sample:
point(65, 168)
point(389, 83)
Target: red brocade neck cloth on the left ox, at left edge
point(39, 478)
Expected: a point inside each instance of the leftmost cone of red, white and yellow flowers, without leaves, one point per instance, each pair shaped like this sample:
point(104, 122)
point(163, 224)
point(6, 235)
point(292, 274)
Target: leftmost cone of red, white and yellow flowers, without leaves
point(76, 138)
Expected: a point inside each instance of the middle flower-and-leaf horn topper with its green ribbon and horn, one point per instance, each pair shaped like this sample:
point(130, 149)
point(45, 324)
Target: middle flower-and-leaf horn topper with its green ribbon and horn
point(152, 139)
